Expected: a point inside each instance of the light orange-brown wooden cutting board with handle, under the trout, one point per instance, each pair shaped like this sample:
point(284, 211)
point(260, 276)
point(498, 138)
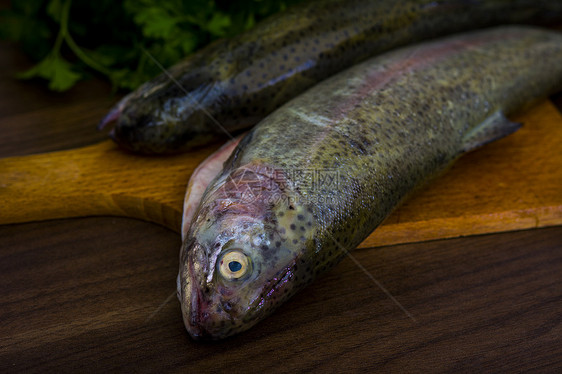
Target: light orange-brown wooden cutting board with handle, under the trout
point(515, 183)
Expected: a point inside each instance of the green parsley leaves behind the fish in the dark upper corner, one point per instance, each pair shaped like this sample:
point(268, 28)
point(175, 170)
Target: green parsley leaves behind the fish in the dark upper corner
point(74, 39)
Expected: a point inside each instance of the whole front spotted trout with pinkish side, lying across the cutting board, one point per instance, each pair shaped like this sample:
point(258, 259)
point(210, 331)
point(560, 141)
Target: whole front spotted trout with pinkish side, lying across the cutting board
point(318, 175)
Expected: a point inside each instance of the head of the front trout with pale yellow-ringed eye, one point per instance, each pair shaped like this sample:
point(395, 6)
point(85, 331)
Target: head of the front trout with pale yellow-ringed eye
point(241, 260)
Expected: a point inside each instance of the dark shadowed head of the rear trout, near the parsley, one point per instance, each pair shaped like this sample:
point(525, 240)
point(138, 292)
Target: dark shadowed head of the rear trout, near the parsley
point(164, 115)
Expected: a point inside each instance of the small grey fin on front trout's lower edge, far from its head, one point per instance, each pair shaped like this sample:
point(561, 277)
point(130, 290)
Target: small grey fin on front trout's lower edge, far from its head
point(492, 128)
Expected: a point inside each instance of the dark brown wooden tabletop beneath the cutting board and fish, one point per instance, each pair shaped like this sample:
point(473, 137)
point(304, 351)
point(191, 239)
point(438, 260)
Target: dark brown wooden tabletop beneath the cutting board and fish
point(98, 294)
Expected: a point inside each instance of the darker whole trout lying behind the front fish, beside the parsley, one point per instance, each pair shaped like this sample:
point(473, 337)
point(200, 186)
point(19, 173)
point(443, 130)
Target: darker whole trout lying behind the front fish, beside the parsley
point(234, 83)
